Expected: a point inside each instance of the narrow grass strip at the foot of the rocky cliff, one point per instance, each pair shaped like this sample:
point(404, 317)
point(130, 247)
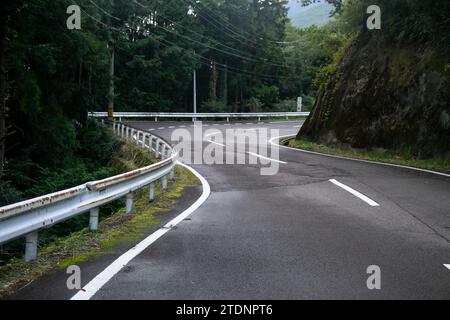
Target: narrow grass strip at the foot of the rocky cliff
point(404, 157)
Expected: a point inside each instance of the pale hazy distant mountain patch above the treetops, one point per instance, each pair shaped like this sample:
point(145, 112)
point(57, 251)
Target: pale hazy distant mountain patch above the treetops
point(302, 17)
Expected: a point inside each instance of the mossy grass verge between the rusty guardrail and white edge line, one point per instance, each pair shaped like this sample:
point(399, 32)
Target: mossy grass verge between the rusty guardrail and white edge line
point(83, 245)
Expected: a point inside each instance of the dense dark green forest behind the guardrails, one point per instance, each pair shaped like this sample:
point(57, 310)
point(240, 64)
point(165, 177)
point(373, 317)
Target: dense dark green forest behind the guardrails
point(247, 55)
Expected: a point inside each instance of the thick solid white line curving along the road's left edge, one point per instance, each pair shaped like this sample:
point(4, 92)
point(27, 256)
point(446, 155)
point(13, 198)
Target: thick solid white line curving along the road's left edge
point(106, 275)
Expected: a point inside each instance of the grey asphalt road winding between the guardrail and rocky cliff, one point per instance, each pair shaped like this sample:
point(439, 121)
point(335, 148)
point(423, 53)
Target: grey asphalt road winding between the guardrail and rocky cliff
point(298, 235)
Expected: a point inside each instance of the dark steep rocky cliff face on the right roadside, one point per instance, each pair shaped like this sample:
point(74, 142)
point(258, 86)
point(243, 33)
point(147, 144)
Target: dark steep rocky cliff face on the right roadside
point(388, 95)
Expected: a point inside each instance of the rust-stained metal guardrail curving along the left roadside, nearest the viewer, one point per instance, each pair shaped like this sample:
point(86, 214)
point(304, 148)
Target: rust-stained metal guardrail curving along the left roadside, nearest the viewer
point(26, 218)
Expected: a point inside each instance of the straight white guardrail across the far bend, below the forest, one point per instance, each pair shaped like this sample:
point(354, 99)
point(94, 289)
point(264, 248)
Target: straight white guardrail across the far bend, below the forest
point(228, 116)
